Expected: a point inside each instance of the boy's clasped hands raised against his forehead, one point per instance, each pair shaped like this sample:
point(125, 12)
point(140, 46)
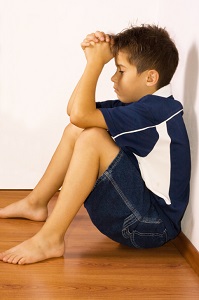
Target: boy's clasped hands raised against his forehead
point(97, 47)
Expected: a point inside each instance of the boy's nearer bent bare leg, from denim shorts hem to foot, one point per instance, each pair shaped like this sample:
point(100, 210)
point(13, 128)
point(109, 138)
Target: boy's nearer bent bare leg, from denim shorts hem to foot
point(93, 153)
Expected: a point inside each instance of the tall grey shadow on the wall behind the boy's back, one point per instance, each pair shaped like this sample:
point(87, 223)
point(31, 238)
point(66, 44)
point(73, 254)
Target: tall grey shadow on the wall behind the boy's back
point(190, 117)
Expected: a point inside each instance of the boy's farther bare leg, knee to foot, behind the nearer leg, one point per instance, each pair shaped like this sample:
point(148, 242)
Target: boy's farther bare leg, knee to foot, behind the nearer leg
point(34, 206)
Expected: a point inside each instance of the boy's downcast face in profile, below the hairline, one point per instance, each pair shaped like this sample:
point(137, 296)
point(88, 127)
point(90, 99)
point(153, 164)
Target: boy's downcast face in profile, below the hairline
point(128, 84)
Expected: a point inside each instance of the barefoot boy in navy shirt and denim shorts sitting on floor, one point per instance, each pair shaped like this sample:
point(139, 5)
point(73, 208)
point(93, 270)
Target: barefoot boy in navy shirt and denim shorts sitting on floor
point(135, 184)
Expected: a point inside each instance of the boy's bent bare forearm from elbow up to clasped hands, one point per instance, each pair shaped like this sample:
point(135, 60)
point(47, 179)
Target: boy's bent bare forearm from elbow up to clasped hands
point(82, 106)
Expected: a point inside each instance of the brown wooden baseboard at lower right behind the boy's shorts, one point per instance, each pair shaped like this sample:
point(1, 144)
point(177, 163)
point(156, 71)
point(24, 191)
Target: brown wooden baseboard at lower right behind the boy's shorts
point(188, 251)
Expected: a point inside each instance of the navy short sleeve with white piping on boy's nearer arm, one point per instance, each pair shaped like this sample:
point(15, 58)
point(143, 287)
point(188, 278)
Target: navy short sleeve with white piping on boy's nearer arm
point(127, 125)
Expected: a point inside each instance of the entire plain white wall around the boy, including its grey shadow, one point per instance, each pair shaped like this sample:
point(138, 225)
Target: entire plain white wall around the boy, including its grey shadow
point(41, 60)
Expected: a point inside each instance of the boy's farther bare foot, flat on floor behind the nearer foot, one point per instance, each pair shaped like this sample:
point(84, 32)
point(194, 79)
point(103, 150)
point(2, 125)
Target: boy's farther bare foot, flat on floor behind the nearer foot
point(25, 208)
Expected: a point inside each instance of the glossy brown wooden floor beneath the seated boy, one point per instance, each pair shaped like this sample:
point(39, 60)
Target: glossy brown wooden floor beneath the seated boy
point(93, 266)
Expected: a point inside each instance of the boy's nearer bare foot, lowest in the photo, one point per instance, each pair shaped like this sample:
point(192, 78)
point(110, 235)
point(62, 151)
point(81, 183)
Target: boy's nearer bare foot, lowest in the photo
point(33, 250)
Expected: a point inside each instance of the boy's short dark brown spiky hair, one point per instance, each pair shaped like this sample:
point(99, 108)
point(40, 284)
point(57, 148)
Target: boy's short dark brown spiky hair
point(149, 47)
